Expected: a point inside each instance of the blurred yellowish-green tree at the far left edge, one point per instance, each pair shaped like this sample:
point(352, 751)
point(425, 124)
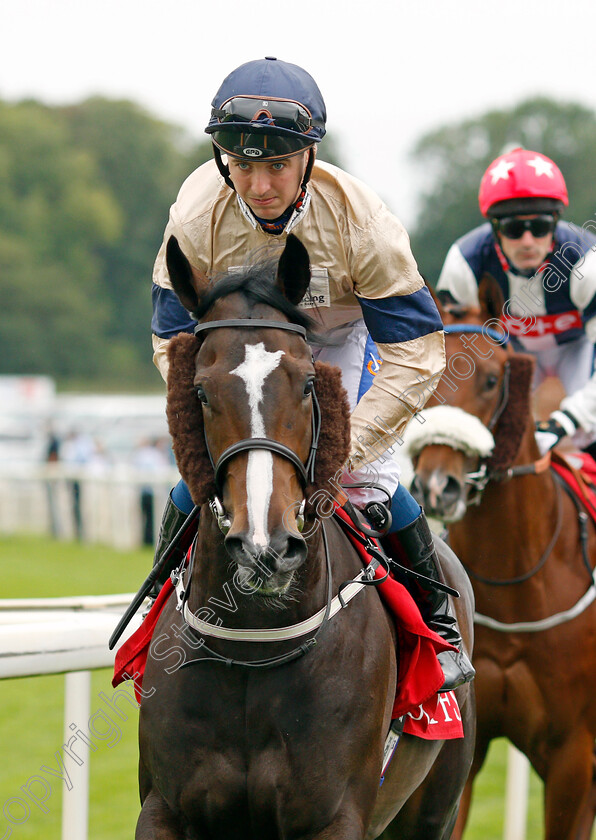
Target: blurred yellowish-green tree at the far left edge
point(53, 212)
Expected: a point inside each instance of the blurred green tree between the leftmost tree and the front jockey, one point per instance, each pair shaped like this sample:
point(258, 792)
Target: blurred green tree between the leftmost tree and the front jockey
point(143, 161)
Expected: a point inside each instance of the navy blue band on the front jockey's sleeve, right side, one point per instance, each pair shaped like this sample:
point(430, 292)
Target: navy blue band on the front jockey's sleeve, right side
point(401, 318)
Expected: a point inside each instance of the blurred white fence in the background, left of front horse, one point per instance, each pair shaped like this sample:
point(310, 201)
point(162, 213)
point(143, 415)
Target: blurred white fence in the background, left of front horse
point(70, 502)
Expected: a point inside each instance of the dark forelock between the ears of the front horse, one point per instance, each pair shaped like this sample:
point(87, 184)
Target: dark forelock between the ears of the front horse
point(257, 283)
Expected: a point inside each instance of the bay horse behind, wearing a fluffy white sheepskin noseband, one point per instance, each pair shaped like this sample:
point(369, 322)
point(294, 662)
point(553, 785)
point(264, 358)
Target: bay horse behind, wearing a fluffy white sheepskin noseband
point(519, 535)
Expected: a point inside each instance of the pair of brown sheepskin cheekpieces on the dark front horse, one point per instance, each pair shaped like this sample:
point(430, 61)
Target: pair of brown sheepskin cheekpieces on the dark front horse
point(185, 419)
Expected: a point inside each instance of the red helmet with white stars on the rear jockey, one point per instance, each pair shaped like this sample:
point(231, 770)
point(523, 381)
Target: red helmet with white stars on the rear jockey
point(522, 182)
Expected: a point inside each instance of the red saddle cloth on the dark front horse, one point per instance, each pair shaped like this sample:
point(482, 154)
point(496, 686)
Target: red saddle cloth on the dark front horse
point(428, 714)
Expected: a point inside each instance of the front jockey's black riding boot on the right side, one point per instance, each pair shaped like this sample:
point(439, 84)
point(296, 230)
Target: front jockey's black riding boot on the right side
point(417, 542)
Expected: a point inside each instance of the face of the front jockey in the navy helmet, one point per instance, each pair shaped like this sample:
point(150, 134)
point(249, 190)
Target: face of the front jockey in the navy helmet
point(271, 187)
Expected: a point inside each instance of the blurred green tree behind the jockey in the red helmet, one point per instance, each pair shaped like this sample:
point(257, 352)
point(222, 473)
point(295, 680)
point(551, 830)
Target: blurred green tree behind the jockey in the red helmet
point(454, 157)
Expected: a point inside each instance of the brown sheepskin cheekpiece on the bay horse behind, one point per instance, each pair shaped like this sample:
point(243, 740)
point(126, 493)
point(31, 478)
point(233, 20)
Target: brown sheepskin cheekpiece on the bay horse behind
point(513, 422)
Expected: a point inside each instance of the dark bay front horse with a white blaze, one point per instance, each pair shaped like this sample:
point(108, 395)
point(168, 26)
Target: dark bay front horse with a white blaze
point(237, 741)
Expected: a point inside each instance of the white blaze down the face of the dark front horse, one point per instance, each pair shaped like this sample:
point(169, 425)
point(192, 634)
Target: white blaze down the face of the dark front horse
point(253, 371)
